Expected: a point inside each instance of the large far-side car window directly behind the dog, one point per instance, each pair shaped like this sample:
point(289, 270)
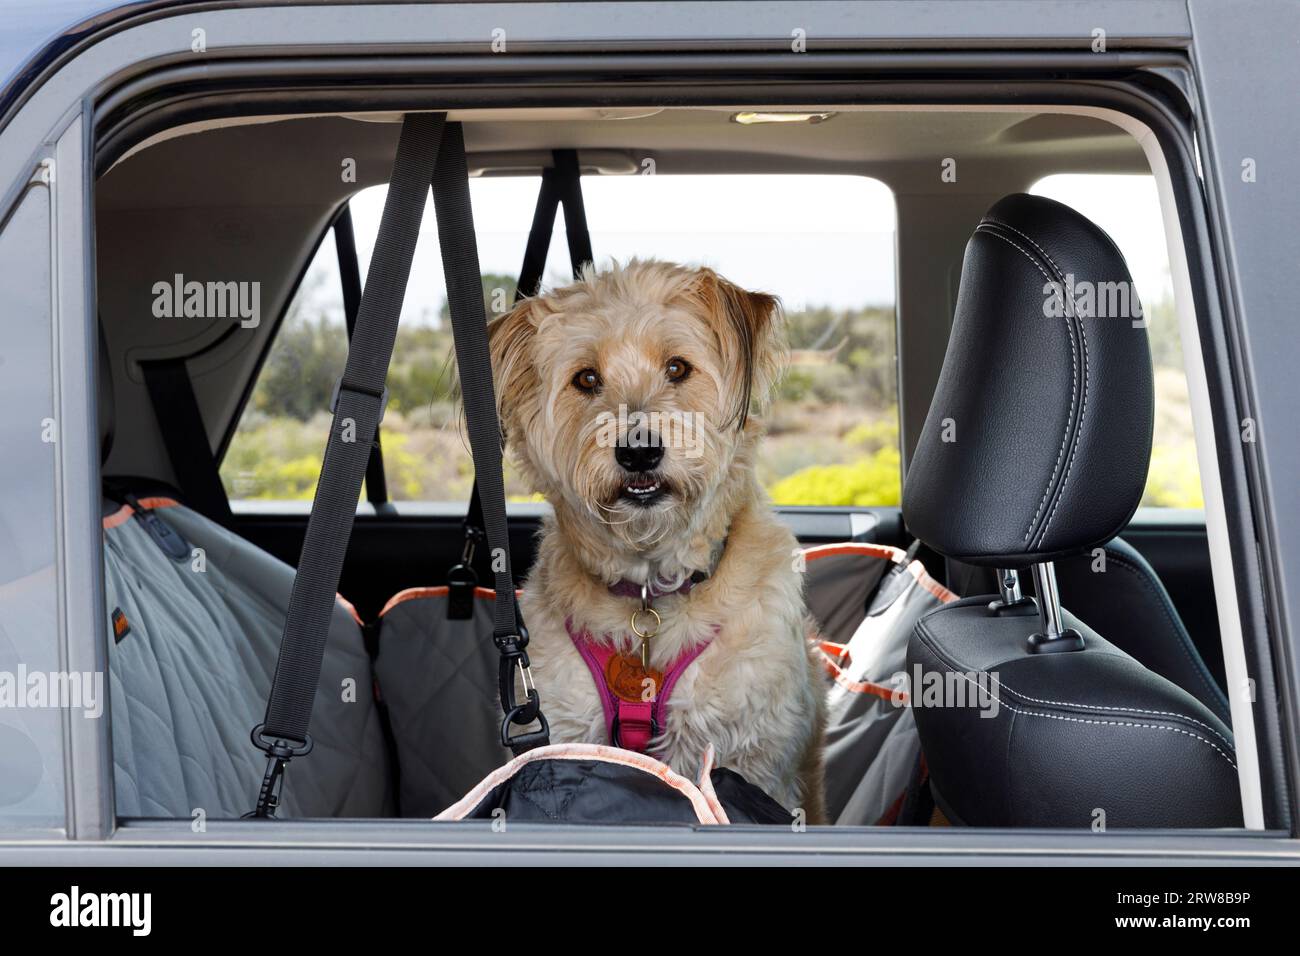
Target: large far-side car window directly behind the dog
point(824, 244)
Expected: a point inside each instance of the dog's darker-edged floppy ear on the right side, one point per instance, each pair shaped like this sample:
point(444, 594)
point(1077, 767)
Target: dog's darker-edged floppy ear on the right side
point(752, 339)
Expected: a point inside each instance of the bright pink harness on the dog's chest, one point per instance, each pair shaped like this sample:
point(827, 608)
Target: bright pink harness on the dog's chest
point(631, 721)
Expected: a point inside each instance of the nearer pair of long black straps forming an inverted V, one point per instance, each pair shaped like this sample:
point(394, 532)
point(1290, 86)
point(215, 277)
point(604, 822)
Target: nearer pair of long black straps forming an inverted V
point(430, 150)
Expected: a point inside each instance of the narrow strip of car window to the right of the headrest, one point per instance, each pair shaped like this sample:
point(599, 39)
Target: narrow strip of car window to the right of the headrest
point(1128, 207)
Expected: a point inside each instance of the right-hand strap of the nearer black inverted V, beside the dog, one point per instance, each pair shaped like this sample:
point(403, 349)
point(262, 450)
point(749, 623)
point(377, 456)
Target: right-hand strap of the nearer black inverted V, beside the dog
point(470, 330)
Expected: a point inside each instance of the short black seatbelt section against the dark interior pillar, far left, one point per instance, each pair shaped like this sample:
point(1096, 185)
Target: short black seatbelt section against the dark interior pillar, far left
point(187, 439)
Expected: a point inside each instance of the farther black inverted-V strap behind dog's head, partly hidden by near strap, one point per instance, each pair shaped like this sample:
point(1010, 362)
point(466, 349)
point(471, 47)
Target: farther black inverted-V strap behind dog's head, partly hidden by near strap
point(562, 183)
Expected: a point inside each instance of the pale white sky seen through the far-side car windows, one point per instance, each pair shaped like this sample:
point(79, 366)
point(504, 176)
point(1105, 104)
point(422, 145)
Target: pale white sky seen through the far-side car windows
point(812, 240)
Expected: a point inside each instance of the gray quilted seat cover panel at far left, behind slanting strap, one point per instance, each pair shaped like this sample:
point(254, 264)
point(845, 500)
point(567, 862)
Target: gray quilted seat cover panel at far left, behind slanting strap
point(190, 680)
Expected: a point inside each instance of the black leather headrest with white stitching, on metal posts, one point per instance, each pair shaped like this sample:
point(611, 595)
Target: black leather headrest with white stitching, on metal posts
point(1038, 440)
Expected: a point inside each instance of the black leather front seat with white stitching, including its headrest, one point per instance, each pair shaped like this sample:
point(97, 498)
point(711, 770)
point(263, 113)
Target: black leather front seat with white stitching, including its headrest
point(1035, 449)
